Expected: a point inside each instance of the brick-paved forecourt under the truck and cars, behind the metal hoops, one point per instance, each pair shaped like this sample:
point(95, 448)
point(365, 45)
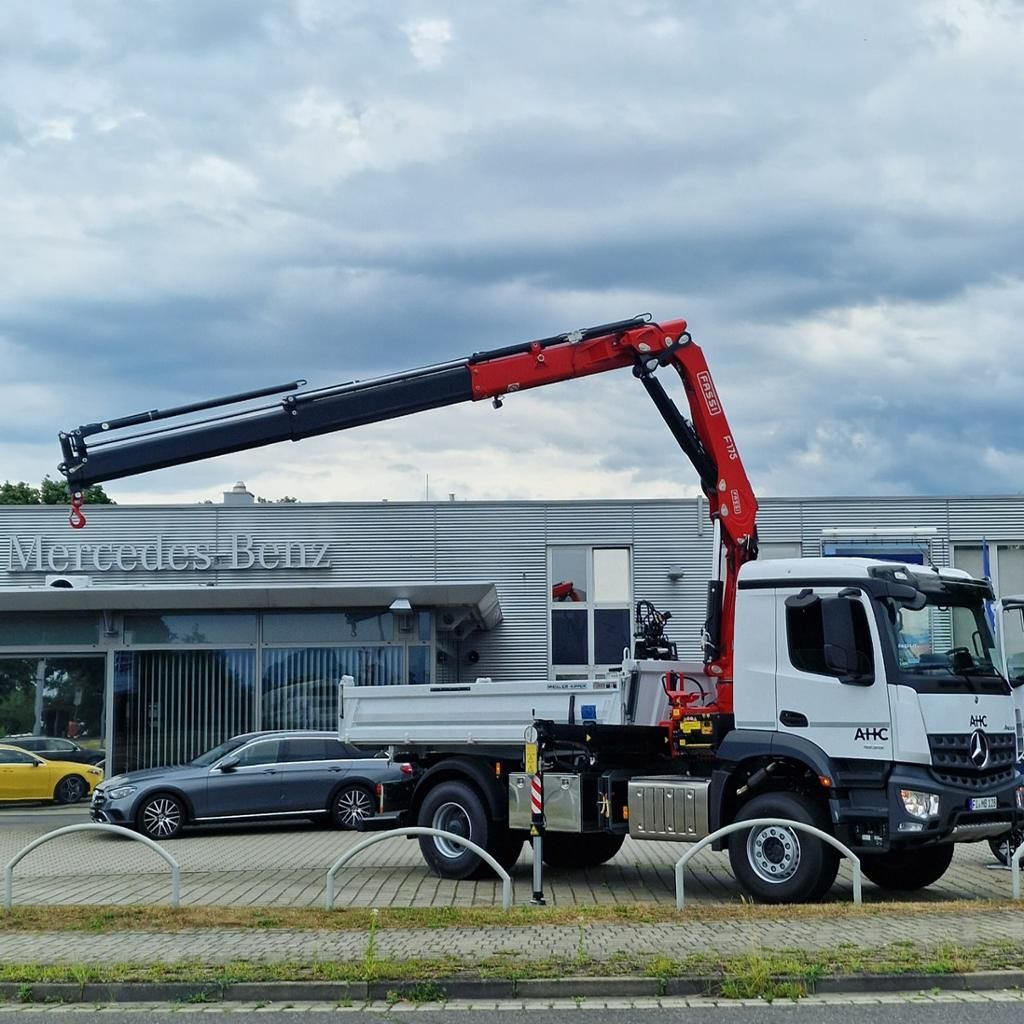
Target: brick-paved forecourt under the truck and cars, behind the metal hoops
point(287, 867)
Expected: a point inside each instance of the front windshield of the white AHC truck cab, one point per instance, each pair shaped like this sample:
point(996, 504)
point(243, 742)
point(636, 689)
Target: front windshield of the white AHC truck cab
point(971, 657)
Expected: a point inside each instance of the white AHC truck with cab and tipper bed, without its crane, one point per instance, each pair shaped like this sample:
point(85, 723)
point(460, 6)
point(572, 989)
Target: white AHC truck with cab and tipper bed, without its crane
point(845, 717)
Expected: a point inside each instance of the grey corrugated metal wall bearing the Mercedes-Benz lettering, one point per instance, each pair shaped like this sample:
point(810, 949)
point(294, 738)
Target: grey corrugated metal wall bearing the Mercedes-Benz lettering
point(504, 543)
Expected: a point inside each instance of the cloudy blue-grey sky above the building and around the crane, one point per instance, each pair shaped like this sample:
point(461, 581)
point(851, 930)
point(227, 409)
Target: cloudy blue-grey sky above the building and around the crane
point(200, 197)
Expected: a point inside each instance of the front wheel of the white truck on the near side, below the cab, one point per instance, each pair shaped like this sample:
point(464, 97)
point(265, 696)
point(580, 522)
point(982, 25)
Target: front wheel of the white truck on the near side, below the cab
point(784, 866)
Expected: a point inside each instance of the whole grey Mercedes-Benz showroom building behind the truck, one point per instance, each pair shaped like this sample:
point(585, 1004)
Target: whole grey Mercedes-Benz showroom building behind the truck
point(159, 631)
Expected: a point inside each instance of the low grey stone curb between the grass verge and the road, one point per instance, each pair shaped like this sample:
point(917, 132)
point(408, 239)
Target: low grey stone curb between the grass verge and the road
point(482, 989)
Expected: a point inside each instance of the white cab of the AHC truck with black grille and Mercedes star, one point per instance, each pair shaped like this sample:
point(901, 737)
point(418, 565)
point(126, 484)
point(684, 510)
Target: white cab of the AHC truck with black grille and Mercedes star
point(886, 680)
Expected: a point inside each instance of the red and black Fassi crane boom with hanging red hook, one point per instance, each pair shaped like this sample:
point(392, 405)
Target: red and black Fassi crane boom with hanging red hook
point(638, 345)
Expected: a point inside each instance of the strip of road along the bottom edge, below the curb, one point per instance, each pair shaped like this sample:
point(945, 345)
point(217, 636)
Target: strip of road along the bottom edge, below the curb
point(901, 1010)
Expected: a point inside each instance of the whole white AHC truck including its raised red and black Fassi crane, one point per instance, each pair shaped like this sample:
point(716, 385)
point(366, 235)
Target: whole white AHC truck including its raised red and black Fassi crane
point(821, 698)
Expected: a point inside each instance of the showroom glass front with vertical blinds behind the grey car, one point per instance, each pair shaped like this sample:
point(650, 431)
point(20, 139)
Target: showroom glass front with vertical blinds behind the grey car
point(185, 682)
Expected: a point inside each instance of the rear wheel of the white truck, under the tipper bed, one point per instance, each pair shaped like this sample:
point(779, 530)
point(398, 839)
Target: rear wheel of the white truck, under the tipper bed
point(457, 808)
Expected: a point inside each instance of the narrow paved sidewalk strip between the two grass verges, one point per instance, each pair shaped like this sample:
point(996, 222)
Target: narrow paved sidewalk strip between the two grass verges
point(598, 942)
